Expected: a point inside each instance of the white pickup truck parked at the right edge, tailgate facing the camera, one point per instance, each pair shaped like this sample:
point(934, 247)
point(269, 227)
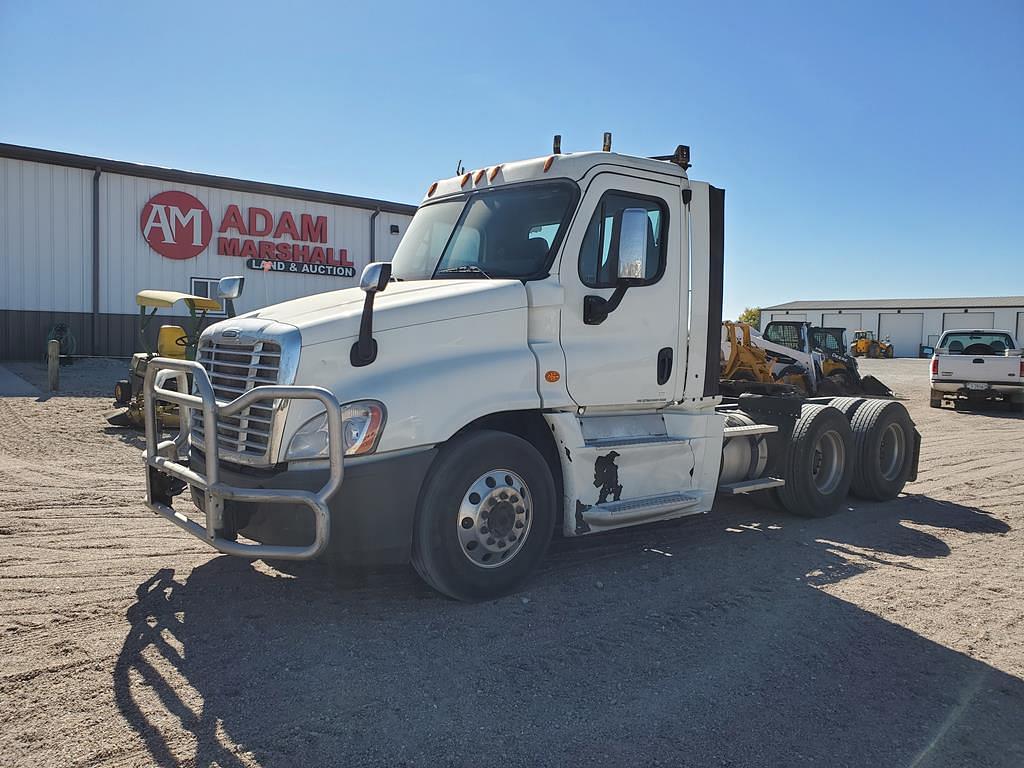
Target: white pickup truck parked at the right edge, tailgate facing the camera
point(977, 365)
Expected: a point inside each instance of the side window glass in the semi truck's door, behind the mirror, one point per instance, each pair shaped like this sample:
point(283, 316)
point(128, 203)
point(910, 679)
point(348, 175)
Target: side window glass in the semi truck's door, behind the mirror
point(600, 259)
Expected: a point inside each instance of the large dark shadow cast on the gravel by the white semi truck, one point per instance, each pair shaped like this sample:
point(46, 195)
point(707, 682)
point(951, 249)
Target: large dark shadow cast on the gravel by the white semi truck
point(700, 643)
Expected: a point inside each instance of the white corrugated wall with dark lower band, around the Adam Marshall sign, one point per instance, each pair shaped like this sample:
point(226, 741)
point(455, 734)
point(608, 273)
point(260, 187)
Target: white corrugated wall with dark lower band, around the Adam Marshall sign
point(47, 216)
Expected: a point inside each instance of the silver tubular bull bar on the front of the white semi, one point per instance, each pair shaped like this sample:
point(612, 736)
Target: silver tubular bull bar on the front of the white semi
point(164, 459)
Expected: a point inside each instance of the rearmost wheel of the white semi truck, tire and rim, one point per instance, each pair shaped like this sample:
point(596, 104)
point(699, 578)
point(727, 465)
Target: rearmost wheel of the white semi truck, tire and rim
point(883, 435)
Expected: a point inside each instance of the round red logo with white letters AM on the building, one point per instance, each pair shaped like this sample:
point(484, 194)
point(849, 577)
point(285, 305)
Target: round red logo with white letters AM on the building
point(177, 226)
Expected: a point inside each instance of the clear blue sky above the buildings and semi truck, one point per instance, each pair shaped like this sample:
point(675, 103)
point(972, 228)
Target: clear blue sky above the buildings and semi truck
point(868, 150)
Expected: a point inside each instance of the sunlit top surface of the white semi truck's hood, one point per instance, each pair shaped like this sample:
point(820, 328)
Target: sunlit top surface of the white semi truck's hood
point(336, 315)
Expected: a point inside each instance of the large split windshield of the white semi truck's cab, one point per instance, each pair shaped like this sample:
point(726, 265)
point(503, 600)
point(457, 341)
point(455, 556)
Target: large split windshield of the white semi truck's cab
point(510, 232)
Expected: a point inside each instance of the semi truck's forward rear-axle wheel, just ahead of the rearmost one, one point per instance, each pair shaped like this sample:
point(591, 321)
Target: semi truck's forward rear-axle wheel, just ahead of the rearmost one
point(819, 463)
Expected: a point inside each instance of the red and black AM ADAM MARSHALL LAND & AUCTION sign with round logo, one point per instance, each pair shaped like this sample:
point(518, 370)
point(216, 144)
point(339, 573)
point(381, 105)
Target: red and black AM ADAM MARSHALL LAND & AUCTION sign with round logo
point(179, 227)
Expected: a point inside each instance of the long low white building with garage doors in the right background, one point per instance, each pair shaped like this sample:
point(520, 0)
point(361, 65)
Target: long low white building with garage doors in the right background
point(910, 324)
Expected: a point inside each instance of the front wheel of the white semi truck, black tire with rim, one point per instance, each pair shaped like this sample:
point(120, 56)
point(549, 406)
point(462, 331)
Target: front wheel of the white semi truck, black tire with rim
point(454, 550)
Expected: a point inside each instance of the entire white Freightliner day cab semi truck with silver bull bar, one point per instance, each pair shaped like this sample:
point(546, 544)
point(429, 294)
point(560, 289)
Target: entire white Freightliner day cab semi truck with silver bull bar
point(543, 354)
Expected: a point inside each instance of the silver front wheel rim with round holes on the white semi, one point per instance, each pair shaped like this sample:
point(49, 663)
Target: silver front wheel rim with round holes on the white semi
point(495, 519)
